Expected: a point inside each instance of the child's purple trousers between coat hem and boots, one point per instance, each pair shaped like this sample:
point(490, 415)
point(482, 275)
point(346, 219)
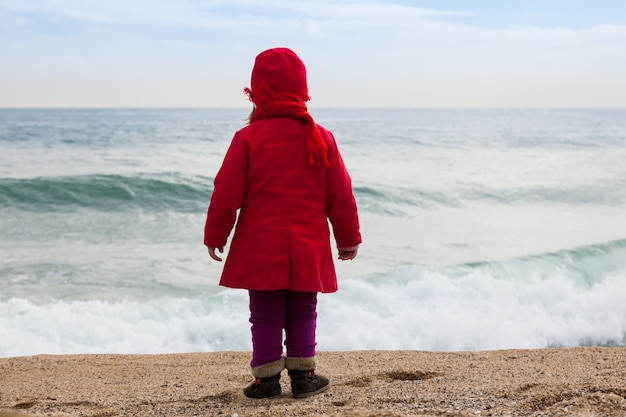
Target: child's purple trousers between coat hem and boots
point(273, 311)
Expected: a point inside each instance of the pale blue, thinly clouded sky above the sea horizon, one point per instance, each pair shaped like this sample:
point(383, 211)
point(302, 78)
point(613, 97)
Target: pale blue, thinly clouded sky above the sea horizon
point(370, 53)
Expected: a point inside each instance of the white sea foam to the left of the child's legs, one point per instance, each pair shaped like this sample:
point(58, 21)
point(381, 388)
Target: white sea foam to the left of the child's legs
point(211, 323)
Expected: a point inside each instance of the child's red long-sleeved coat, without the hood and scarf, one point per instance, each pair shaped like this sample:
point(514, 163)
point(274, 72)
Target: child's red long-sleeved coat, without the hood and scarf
point(282, 238)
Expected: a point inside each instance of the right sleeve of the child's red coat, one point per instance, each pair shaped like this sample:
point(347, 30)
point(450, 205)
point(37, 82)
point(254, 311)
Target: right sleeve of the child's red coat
point(342, 209)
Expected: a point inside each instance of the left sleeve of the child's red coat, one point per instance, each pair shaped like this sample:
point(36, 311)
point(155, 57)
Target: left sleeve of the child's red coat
point(229, 190)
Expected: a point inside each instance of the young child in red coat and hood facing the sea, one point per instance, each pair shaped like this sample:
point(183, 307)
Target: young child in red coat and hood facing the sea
point(286, 176)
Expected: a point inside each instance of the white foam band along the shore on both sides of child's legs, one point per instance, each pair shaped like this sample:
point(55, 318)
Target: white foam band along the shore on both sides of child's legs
point(519, 304)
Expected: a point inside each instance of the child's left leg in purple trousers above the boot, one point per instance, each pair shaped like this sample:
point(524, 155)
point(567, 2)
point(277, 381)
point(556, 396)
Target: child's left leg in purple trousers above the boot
point(267, 315)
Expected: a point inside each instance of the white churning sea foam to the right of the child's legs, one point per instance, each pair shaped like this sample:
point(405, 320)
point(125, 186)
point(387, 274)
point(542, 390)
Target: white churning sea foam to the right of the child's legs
point(474, 310)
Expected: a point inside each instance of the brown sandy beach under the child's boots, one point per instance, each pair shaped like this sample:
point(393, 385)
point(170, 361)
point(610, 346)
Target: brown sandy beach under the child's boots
point(588, 381)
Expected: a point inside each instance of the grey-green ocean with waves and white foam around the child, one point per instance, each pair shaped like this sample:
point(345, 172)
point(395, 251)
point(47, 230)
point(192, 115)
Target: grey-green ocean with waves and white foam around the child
point(483, 229)
